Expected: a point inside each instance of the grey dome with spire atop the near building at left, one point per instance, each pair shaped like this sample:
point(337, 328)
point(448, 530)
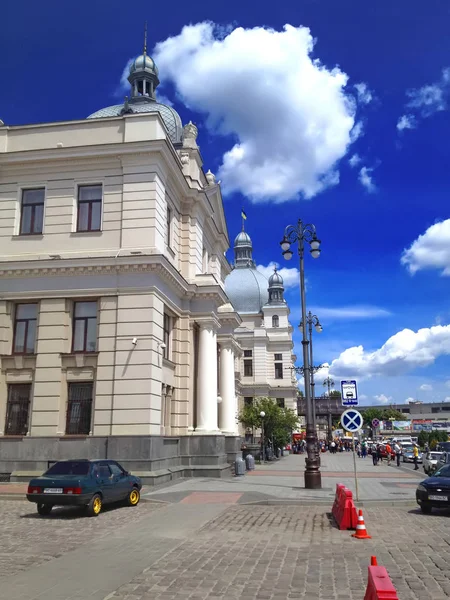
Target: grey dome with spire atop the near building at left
point(143, 78)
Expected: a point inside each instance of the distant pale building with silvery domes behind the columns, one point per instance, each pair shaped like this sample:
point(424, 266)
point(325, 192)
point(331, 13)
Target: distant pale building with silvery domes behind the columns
point(265, 333)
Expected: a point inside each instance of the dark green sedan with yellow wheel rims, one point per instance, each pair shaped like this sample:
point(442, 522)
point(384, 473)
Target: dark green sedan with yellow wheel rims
point(89, 483)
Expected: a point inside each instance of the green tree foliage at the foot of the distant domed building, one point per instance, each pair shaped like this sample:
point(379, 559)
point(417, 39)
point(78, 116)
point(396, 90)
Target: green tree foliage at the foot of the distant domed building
point(279, 423)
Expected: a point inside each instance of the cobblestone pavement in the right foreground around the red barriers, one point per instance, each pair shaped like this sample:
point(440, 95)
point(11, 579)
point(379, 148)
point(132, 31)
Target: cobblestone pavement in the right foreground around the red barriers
point(280, 553)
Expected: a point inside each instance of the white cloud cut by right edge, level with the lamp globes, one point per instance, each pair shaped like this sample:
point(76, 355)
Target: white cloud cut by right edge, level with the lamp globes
point(431, 250)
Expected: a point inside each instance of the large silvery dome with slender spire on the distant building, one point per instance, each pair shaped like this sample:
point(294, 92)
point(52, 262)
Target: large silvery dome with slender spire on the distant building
point(245, 286)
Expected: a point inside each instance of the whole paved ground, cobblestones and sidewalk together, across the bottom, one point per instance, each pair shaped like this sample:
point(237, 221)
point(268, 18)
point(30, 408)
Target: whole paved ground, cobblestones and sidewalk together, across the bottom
point(199, 541)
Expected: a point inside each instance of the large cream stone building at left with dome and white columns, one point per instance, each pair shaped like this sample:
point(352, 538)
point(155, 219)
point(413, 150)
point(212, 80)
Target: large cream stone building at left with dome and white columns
point(115, 333)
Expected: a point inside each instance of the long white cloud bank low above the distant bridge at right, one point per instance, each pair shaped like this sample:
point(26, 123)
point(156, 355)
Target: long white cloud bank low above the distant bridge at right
point(403, 352)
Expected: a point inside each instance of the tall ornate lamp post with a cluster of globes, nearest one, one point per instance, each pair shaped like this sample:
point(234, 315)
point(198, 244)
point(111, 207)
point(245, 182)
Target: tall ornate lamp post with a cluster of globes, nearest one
point(301, 233)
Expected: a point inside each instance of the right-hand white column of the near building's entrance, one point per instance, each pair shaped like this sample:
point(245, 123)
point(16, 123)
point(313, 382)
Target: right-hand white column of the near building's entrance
point(228, 406)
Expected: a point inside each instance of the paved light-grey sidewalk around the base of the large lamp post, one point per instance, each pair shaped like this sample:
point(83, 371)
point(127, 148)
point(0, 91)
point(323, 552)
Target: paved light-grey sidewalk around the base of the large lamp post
point(282, 481)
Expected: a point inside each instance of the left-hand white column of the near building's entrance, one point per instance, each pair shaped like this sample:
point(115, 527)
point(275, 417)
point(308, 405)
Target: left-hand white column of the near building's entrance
point(207, 379)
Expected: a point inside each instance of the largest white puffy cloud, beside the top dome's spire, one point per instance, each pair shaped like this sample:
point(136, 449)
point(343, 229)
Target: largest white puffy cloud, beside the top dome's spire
point(292, 117)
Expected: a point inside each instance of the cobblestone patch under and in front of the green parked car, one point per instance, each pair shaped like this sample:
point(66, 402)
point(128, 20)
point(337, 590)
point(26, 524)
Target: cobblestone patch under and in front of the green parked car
point(26, 539)
